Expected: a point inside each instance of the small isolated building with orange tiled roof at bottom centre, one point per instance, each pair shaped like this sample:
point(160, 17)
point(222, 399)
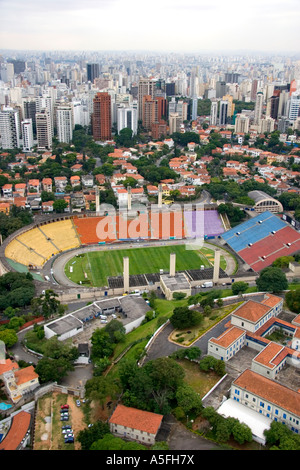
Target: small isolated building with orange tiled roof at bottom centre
point(133, 424)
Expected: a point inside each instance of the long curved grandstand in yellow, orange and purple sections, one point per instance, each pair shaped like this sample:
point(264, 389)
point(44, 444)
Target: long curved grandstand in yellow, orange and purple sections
point(34, 247)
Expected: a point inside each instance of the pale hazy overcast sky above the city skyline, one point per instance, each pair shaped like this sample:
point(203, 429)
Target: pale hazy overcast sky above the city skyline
point(166, 25)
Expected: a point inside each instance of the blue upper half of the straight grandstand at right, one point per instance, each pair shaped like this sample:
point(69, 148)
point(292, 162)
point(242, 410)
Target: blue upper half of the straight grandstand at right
point(253, 230)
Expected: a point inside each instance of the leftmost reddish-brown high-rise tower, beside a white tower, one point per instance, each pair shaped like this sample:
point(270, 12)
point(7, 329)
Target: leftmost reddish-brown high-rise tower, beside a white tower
point(101, 117)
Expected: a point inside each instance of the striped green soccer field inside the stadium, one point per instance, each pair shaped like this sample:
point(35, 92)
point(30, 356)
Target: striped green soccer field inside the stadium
point(93, 268)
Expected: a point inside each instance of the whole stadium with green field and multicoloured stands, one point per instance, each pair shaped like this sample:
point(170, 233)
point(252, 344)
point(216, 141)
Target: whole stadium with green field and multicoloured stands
point(88, 250)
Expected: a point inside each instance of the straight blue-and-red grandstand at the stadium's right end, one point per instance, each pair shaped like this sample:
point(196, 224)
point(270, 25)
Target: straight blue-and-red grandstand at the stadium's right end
point(263, 239)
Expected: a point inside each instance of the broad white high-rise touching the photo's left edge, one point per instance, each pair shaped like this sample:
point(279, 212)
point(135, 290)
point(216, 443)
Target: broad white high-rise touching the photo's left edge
point(10, 137)
